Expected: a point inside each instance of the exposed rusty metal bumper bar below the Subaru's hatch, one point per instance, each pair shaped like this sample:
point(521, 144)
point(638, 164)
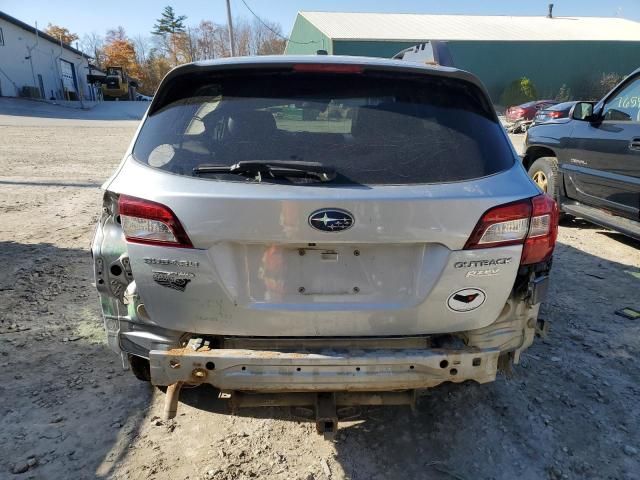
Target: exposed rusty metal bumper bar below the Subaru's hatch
point(328, 371)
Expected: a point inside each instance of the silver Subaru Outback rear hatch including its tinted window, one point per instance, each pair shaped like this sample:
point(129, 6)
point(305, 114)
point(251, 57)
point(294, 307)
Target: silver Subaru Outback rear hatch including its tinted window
point(414, 157)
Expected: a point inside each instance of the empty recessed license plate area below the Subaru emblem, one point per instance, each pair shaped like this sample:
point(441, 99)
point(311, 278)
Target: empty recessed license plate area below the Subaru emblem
point(344, 273)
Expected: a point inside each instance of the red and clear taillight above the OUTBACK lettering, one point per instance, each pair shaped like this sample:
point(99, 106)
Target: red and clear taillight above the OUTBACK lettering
point(532, 222)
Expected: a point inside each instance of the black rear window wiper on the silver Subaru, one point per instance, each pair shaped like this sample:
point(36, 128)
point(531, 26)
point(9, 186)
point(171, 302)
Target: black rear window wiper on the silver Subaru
point(271, 168)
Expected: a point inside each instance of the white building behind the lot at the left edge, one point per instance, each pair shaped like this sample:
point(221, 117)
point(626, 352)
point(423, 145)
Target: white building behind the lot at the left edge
point(36, 65)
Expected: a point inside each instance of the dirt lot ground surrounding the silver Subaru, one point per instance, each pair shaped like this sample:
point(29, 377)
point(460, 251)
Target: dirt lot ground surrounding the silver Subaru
point(68, 410)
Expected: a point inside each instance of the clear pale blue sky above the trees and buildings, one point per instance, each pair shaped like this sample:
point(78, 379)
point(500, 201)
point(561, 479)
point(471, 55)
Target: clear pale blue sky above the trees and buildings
point(138, 16)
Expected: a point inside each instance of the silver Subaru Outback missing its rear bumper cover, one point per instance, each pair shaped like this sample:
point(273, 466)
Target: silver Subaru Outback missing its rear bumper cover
point(321, 232)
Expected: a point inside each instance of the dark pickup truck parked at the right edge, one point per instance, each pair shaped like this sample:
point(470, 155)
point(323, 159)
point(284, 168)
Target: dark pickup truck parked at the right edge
point(591, 163)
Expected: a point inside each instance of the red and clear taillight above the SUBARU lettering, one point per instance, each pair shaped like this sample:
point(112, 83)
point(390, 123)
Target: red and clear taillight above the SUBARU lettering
point(144, 221)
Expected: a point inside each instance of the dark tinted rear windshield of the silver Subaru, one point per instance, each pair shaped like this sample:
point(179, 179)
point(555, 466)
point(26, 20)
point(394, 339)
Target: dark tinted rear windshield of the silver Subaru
point(372, 128)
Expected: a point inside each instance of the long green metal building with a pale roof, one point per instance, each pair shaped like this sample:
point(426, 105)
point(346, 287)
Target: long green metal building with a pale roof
point(551, 51)
